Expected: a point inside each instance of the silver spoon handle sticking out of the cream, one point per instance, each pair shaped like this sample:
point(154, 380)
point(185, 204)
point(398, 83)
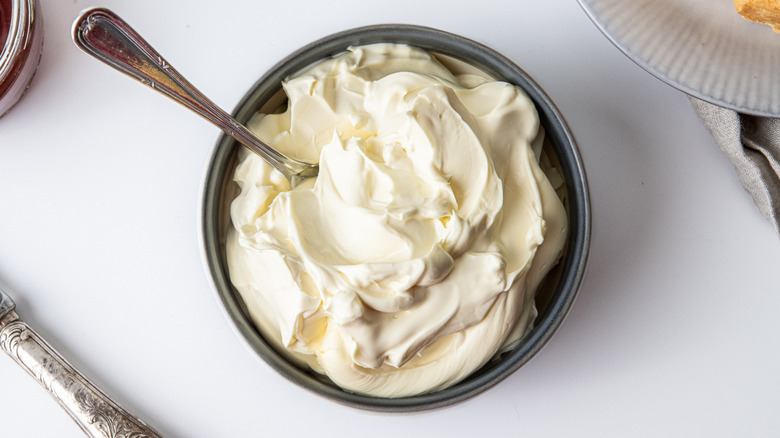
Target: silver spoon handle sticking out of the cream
point(108, 38)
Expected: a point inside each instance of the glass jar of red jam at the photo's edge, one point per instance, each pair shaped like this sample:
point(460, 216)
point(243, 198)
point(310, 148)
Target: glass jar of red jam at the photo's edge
point(21, 39)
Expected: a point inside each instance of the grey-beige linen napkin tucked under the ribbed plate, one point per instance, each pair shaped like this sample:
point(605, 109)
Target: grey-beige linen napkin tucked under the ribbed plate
point(752, 144)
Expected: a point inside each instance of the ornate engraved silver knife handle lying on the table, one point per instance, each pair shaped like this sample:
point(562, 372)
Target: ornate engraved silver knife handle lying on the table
point(96, 414)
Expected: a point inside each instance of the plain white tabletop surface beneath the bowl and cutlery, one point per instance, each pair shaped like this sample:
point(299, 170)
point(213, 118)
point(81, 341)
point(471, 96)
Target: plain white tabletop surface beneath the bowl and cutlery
point(675, 331)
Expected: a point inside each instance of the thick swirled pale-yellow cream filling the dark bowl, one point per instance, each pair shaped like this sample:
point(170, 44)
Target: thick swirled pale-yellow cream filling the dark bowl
point(415, 255)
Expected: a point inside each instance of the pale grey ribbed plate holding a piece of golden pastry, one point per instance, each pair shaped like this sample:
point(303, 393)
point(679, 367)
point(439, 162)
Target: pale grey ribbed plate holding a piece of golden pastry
point(702, 47)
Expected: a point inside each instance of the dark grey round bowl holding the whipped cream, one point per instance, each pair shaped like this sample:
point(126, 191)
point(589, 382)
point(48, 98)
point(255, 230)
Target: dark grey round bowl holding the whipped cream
point(561, 285)
